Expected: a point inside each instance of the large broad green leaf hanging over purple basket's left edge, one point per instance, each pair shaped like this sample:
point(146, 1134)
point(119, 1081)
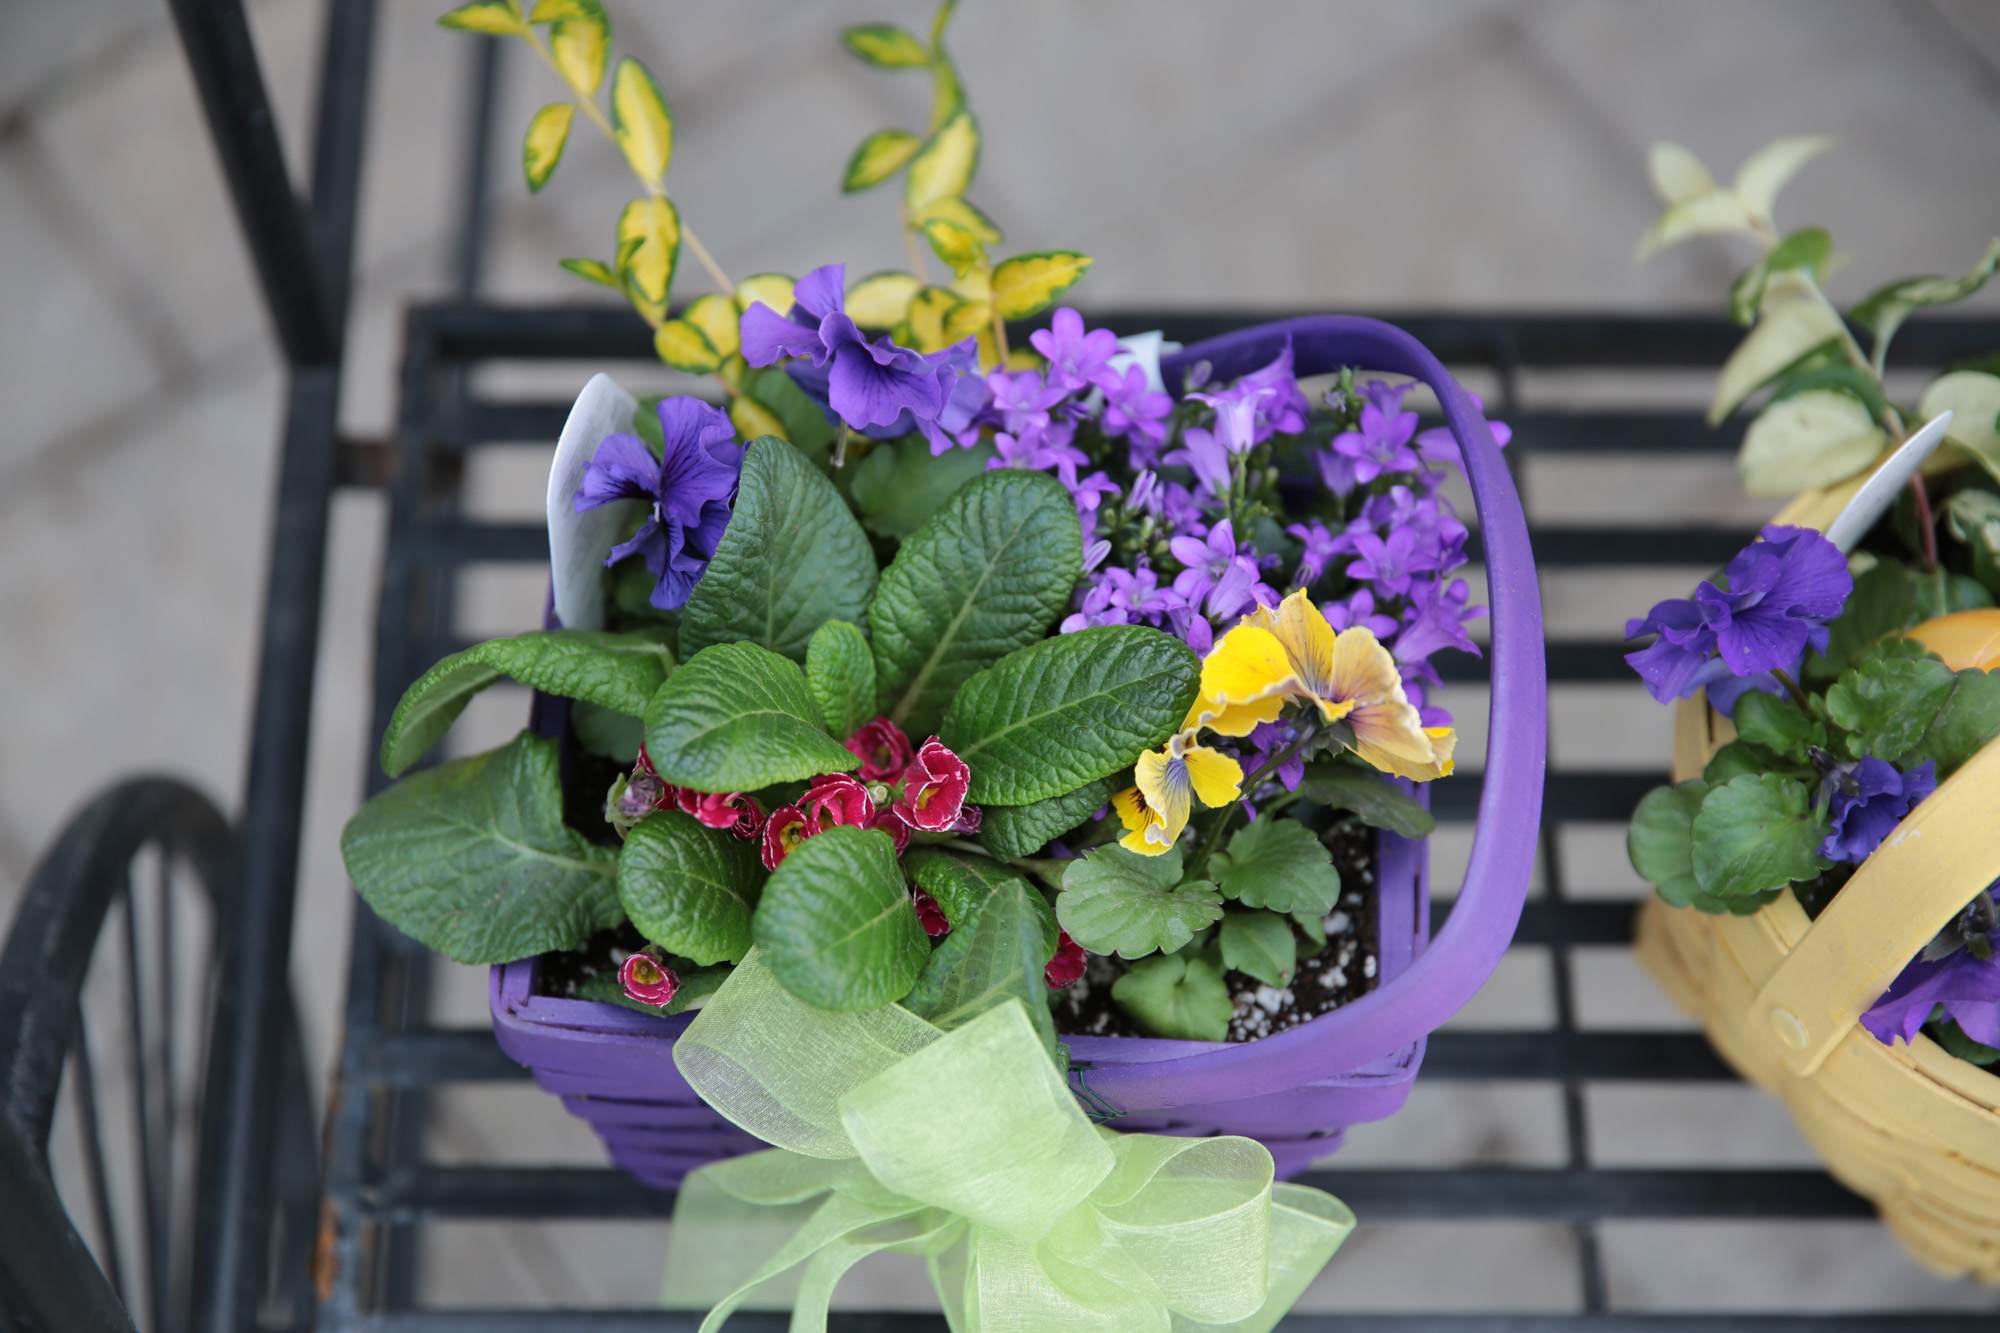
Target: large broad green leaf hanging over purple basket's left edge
point(473, 860)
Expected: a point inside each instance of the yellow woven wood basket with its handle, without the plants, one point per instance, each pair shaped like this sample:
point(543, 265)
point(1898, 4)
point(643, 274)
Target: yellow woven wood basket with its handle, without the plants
point(1913, 1128)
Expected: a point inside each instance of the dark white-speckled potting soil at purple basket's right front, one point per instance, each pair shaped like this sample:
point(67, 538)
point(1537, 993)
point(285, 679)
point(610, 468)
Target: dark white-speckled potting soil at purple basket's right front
point(1339, 974)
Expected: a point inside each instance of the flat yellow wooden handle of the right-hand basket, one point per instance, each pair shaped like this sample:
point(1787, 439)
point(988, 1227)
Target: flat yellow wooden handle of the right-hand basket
point(1913, 886)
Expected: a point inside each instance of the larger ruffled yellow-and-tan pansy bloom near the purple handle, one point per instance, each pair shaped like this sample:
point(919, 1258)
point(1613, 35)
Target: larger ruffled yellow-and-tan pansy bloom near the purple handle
point(1351, 678)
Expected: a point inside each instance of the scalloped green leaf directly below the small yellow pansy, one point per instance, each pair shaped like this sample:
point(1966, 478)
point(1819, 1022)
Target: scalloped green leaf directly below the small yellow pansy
point(1117, 902)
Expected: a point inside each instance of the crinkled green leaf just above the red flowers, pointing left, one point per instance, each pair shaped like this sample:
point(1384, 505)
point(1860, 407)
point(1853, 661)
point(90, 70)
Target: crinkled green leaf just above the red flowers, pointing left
point(739, 718)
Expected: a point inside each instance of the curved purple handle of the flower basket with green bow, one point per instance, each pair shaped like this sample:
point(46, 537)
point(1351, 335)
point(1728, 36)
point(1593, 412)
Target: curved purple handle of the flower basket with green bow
point(1483, 920)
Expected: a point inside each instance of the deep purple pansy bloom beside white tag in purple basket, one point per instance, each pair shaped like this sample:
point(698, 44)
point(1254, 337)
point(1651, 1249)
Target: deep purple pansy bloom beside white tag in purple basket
point(691, 491)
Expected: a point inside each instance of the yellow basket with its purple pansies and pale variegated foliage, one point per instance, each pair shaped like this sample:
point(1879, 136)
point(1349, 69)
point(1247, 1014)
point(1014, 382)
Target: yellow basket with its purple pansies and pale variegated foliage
point(1837, 764)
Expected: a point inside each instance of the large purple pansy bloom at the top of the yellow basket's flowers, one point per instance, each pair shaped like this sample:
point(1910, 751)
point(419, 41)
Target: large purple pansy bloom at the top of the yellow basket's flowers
point(1781, 595)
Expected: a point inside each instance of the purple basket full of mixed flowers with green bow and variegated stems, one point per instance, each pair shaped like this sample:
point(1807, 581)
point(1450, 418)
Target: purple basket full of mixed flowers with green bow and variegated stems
point(927, 722)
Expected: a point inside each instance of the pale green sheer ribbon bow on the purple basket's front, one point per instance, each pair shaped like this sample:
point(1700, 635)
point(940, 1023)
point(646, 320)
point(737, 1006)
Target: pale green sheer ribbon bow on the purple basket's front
point(969, 1150)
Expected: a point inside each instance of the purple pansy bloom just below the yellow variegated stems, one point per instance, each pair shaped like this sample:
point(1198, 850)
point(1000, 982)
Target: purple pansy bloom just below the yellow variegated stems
point(873, 387)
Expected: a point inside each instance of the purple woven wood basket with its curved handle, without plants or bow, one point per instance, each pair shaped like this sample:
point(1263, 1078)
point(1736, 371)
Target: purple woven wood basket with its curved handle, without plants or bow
point(1297, 1092)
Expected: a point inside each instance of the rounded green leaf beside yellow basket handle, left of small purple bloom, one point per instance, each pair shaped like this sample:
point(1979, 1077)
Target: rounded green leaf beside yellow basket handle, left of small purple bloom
point(1757, 832)
